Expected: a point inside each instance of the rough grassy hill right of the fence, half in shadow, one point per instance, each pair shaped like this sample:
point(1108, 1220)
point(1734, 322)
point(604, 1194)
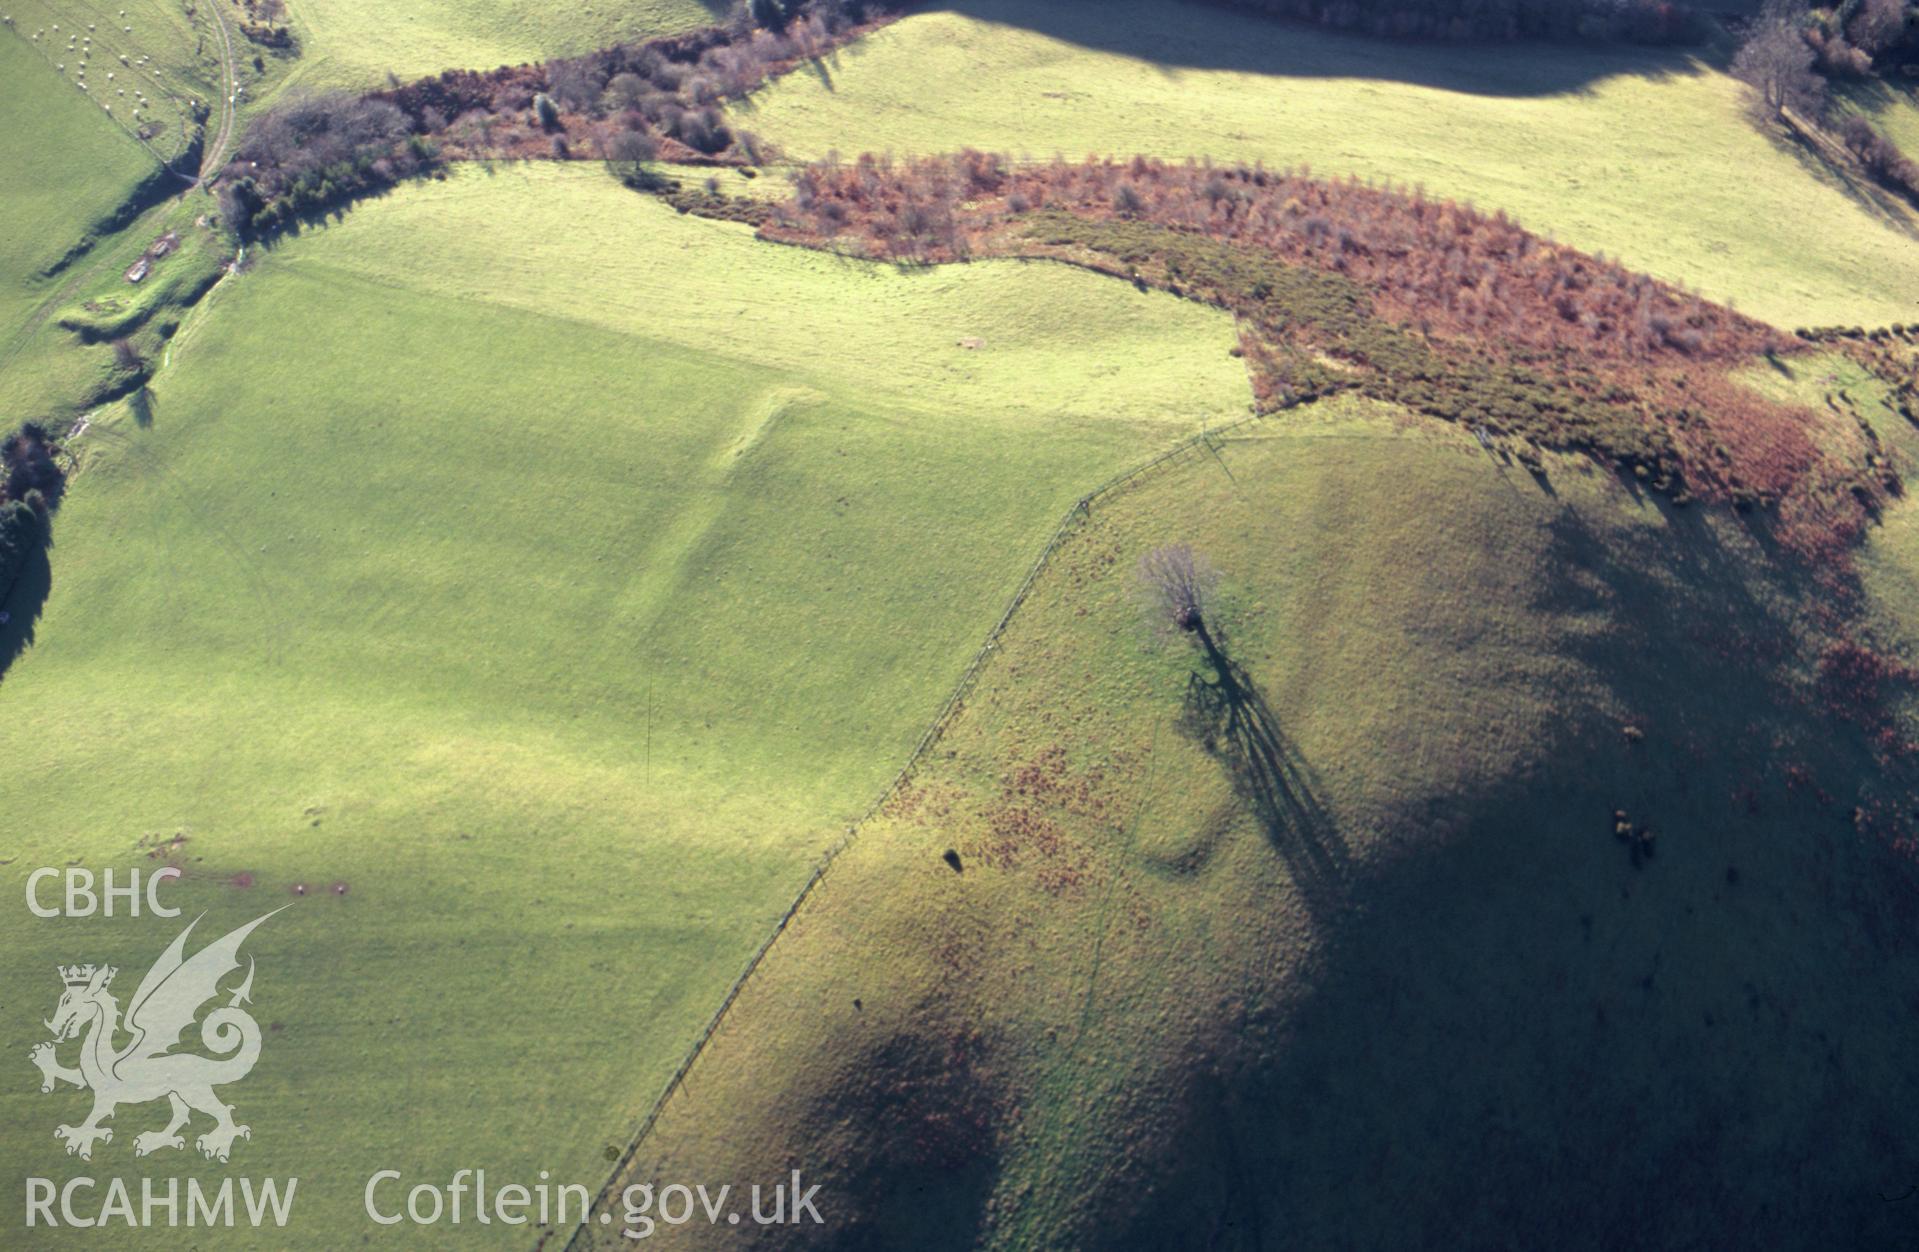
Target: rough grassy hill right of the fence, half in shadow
point(1181, 1001)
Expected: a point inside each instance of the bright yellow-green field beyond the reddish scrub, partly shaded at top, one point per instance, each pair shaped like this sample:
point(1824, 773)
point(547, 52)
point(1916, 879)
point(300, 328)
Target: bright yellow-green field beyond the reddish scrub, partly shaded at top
point(1580, 145)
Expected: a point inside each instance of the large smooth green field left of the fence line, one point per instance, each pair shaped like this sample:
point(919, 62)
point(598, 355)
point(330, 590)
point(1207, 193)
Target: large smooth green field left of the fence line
point(519, 560)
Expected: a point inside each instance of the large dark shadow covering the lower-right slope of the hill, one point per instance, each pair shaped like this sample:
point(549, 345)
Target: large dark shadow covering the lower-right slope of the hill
point(1523, 1036)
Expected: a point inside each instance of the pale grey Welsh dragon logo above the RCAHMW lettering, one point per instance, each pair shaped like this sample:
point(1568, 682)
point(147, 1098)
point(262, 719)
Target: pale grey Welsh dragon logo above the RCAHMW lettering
point(162, 1009)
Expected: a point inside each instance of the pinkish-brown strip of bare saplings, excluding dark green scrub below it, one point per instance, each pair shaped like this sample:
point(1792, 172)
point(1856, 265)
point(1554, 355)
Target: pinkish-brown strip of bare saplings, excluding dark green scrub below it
point(1433, 262)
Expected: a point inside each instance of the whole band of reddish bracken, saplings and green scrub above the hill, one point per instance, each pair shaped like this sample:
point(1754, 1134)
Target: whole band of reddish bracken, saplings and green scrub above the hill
point(1400, 297)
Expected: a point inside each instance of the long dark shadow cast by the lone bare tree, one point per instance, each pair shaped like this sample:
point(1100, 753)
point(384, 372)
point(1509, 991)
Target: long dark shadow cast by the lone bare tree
point(1231, 719)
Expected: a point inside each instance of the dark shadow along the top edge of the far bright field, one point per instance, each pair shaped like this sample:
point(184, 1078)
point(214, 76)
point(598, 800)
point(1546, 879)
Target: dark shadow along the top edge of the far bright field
point(1175, 36)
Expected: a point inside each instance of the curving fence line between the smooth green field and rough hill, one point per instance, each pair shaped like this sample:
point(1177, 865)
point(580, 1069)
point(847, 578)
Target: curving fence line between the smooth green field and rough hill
point(1081, 510)
